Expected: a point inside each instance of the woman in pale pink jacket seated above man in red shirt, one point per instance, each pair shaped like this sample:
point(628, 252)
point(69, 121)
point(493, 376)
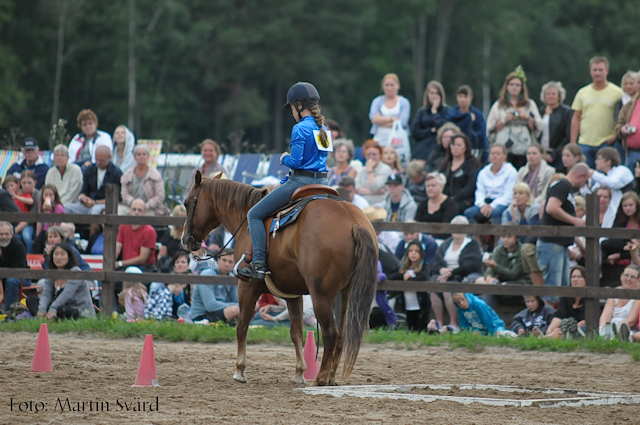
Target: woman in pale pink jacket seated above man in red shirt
point(143, 182)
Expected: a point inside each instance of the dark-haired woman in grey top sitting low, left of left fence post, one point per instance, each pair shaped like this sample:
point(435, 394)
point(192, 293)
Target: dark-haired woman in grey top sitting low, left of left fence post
point(65, 298)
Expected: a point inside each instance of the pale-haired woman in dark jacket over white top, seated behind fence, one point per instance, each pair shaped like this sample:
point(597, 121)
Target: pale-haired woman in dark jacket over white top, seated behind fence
point(458, 259)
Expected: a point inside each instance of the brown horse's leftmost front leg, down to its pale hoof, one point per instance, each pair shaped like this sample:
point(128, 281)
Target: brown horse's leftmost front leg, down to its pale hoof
point(248, 293)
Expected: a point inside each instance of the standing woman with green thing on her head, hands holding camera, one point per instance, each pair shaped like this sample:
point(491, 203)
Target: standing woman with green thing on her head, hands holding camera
point(514, 120)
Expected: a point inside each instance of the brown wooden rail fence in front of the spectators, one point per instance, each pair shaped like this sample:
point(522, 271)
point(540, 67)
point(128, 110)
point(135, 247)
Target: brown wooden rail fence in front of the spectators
point(591, 293)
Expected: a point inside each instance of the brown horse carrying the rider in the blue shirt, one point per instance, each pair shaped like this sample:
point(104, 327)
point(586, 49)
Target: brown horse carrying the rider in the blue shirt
point(331, 248)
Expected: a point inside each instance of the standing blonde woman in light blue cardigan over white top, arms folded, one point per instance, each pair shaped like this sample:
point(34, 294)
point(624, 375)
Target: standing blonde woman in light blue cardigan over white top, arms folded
point(388, 108)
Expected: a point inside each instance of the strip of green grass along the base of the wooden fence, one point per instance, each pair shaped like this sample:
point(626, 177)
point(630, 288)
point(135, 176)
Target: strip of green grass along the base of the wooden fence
point(173, 331)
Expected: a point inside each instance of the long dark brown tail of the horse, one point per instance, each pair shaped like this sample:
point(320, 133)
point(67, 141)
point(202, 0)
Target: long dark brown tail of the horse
point(363, 283)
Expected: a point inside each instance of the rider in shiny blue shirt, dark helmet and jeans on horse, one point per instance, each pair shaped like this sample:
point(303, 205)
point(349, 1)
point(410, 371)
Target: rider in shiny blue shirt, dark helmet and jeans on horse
point(310, 143)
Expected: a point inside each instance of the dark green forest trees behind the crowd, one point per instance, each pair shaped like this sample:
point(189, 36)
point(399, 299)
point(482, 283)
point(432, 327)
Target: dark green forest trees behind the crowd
point(184, 70)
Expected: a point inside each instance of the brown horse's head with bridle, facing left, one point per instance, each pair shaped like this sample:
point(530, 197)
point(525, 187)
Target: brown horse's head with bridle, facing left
point(200, 219)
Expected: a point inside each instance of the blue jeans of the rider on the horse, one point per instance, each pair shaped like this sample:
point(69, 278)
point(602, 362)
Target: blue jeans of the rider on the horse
point(277, 199)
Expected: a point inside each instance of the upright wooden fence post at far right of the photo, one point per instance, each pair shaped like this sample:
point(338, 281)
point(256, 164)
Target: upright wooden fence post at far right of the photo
point(592, 261)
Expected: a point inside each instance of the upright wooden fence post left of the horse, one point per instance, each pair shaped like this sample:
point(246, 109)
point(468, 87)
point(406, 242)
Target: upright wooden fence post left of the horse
point(109, 256)
